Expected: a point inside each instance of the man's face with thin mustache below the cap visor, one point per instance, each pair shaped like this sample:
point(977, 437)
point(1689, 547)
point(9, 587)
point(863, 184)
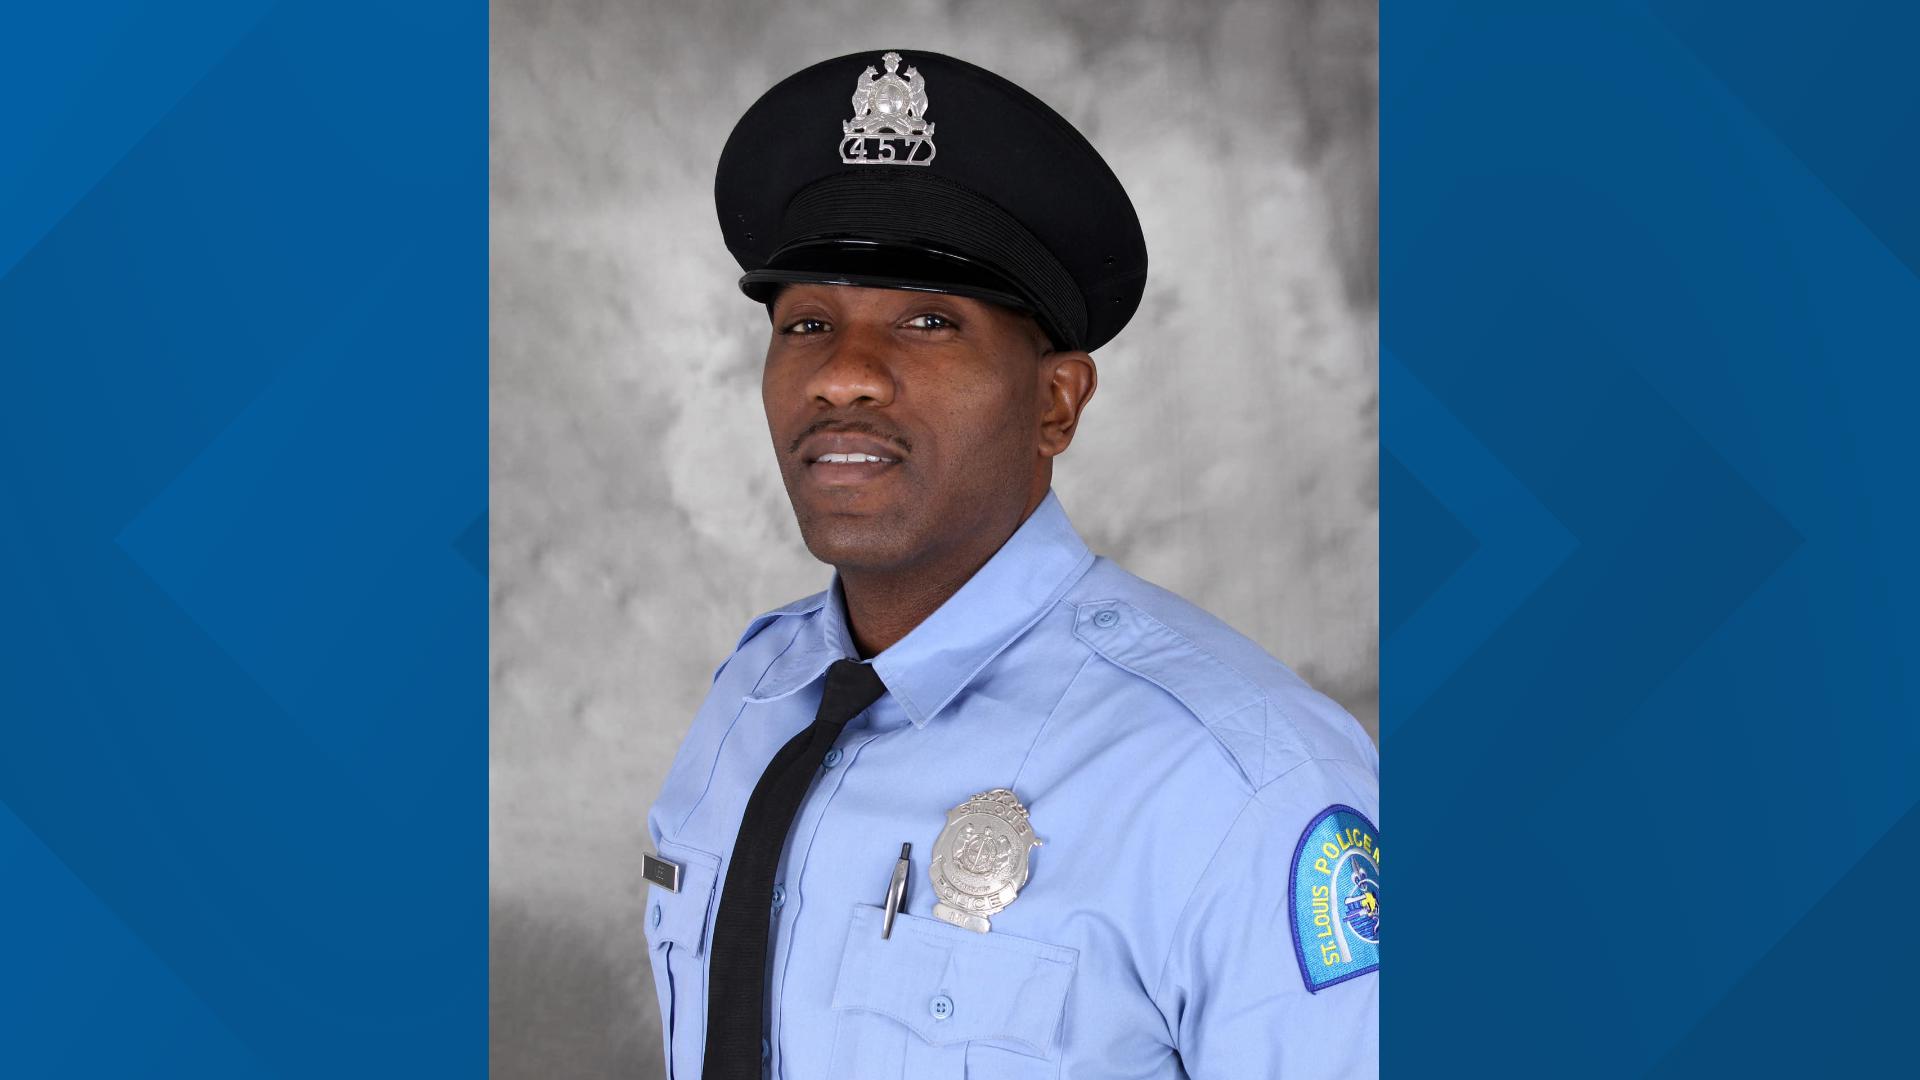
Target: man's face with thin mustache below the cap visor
point(911, 428)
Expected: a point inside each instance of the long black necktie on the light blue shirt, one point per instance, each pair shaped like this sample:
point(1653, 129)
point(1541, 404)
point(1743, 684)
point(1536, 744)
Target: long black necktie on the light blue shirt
point(736, 987)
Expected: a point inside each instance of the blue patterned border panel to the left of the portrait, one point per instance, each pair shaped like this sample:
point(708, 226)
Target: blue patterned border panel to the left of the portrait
point(243, 529)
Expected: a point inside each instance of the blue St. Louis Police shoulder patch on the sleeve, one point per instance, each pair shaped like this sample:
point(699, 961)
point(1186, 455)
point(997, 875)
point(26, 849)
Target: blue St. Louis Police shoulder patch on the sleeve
point(1333, 898)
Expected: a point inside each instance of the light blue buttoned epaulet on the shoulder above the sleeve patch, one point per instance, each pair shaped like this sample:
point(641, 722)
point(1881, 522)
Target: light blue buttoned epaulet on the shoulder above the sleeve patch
point(1264, 716)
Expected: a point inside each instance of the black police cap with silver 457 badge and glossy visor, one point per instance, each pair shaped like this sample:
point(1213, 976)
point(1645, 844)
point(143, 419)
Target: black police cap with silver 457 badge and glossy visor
point(915, 170)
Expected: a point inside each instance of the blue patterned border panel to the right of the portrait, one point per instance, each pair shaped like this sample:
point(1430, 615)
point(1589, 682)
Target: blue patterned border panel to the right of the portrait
point(1650, 351)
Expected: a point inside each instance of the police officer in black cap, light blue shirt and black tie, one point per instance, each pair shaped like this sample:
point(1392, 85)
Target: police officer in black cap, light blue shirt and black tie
point(990, 806)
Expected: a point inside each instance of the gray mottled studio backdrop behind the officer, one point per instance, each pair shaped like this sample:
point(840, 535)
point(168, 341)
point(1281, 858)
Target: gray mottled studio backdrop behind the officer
point(638, 516)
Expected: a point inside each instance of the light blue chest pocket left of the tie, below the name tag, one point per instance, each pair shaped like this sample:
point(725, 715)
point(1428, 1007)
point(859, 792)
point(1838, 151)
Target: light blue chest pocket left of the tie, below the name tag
point(677, 946)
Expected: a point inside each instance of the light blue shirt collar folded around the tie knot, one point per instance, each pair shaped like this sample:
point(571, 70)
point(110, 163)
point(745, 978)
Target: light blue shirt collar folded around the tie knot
point(940, 658)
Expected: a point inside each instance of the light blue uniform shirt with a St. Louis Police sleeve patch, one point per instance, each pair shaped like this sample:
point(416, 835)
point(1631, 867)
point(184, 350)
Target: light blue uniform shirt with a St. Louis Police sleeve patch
point(1178, 910)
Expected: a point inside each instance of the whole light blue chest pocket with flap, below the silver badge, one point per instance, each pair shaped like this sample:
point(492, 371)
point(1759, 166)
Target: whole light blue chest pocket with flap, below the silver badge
point(944, 1004)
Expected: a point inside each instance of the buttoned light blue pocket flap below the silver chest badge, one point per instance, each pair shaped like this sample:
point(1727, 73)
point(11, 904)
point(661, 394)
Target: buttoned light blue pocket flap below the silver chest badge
point(953, 985)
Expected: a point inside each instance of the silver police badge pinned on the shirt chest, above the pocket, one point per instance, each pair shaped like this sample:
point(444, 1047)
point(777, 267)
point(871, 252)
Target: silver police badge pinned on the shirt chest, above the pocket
point(980, 862)
